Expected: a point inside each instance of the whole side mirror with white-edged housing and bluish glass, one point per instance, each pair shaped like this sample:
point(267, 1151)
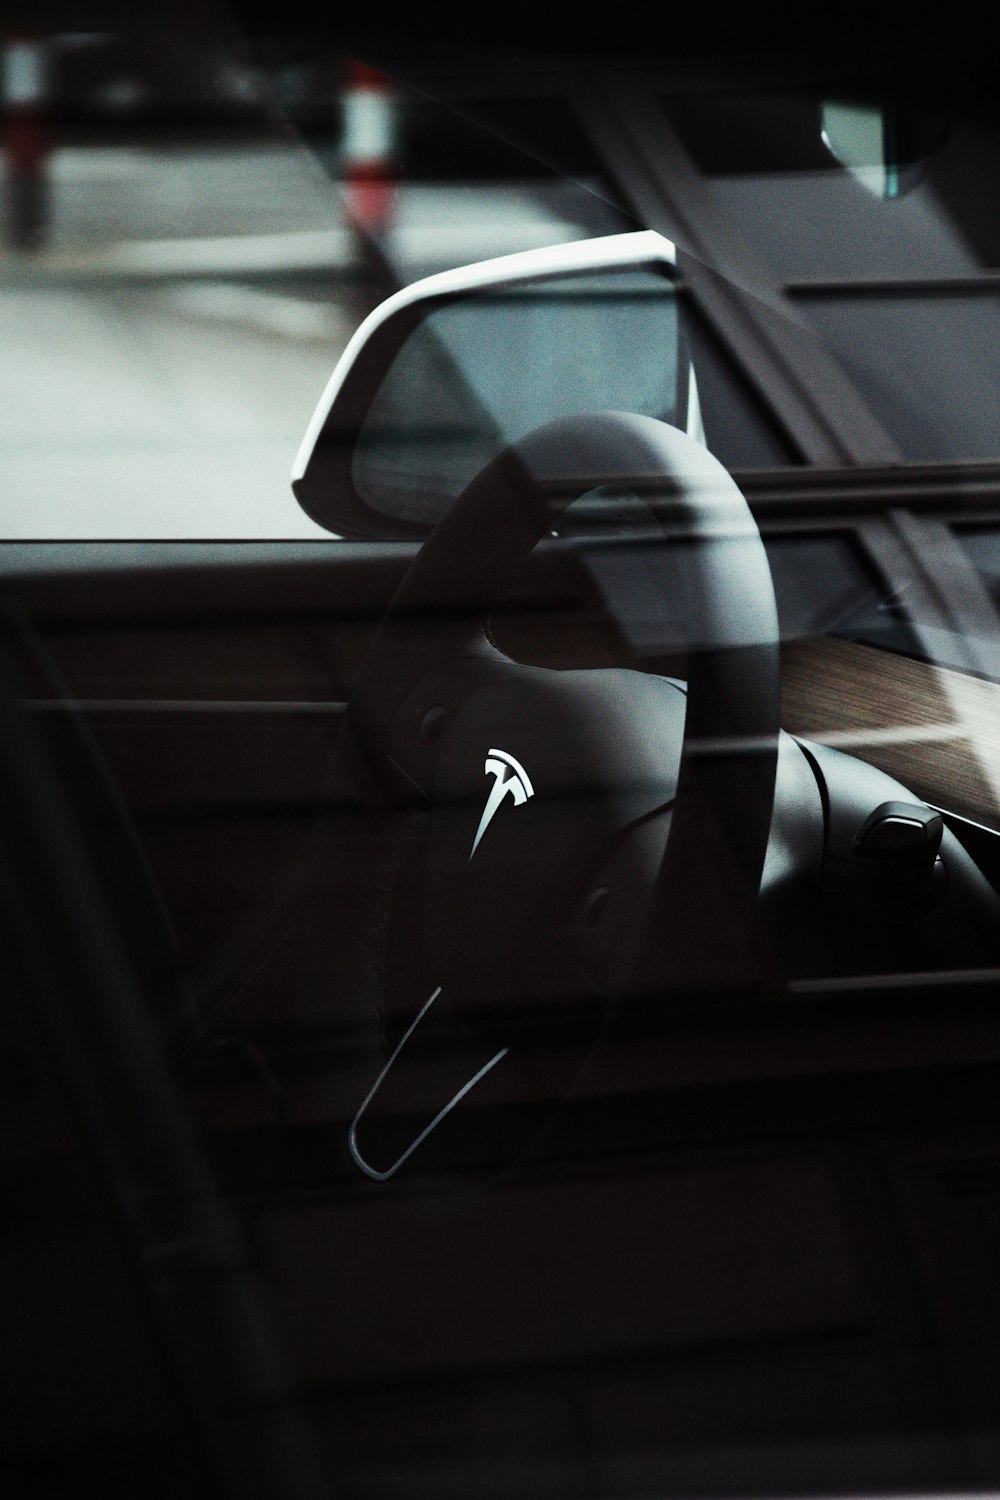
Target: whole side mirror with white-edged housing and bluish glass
point(449, 371)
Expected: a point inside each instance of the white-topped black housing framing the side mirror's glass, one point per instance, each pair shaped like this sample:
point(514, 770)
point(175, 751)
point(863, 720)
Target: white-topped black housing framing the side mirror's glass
point(325, 476)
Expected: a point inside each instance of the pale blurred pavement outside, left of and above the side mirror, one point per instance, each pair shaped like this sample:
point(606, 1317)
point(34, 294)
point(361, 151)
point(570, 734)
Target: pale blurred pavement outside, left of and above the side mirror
point(167, 344)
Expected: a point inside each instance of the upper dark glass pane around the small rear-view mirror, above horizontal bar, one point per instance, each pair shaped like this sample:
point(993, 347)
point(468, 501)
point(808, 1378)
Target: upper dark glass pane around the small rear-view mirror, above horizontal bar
point(899, 205)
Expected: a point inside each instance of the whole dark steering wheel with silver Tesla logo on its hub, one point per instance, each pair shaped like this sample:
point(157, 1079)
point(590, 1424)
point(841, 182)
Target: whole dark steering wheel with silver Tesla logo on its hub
point(588, 836)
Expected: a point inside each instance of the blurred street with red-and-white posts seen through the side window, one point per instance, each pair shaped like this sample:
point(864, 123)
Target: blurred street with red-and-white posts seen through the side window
point(193, 226)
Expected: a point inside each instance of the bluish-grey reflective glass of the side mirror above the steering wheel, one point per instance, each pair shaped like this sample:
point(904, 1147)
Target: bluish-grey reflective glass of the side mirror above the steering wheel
point(484, 371)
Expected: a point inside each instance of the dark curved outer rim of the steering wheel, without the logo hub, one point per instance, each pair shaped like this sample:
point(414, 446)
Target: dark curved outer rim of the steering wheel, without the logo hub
point(729, 751)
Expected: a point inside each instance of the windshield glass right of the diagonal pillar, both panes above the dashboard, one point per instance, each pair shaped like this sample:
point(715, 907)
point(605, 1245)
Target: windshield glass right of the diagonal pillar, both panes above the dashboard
point(891, 265)
